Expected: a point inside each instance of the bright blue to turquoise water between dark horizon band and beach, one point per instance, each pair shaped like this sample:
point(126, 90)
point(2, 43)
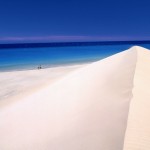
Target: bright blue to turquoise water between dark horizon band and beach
point(31, 58)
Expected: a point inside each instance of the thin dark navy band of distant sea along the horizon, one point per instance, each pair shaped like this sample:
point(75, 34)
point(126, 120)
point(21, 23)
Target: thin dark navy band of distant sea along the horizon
point(66, 44)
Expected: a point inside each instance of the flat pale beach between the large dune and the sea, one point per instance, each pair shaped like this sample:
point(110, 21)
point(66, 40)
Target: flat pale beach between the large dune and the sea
point(17, 84)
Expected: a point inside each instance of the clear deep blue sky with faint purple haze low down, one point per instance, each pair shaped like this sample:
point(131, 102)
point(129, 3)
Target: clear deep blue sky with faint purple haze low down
point(73, 20)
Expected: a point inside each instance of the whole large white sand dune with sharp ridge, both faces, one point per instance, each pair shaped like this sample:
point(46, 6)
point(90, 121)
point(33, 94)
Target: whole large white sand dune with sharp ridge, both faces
point(85, 110)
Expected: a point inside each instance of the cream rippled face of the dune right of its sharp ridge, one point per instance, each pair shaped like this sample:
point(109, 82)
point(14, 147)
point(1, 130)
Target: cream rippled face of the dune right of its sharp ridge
point(138, 128)
